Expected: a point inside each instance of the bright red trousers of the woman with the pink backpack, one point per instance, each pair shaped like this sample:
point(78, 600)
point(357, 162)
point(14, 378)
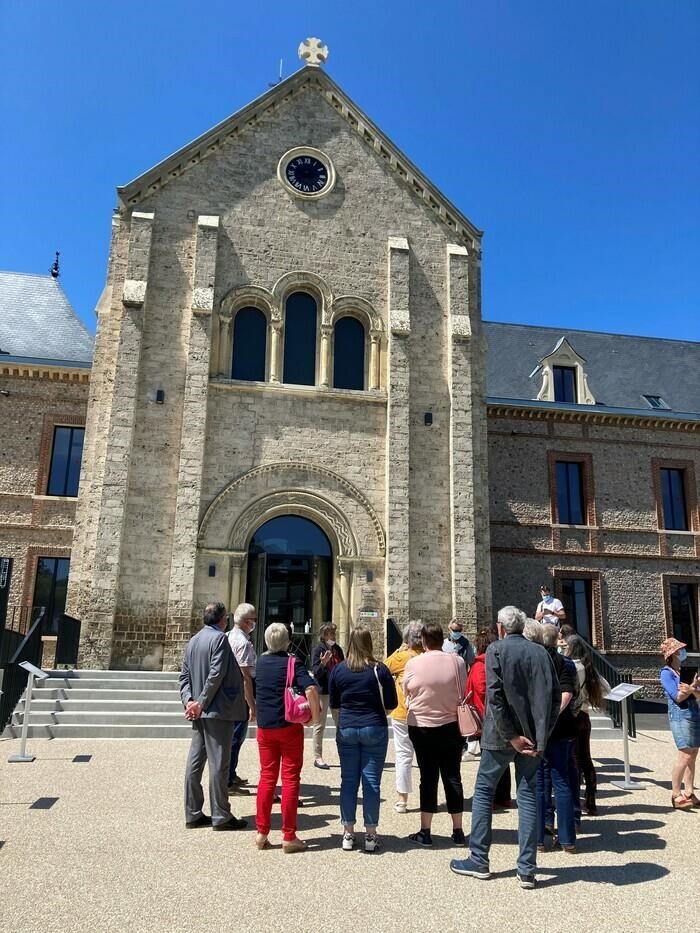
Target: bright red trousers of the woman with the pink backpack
point(277, 747)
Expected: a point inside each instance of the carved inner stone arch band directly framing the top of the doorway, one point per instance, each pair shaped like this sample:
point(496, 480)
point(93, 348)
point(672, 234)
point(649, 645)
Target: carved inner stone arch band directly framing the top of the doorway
point(294, 502)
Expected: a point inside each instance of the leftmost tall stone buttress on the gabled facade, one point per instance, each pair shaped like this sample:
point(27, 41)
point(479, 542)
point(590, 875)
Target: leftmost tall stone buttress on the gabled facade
point(100, 596)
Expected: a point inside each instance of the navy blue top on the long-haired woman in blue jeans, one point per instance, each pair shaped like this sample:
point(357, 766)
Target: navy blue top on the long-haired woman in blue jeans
point(356, 695)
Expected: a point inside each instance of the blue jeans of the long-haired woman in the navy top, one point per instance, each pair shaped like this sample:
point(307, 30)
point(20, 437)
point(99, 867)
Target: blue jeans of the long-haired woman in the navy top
point(362, 755)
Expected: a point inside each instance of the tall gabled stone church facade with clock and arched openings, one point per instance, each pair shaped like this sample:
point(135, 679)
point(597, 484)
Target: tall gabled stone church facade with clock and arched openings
point(173, 492)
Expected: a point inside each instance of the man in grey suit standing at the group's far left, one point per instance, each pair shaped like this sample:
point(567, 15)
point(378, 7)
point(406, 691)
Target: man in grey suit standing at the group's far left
point(211, 687)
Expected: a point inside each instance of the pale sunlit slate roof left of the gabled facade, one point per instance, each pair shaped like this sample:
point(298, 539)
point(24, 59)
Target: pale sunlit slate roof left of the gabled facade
point(37, 320)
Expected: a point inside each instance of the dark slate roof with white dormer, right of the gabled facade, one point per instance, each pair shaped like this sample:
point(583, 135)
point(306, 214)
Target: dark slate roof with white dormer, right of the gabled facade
point(620, 369)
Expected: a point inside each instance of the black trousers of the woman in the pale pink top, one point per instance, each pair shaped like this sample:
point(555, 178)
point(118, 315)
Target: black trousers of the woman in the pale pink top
point(439, 755)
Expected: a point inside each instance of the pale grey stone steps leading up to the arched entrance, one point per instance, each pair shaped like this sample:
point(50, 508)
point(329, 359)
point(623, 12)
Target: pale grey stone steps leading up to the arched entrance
point(137, 704)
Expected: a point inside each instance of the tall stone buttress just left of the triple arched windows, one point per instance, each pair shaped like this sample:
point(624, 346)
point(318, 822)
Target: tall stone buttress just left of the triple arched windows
point(194, 420)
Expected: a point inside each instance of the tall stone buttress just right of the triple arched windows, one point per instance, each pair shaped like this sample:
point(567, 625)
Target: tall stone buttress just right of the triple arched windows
point(397, 433)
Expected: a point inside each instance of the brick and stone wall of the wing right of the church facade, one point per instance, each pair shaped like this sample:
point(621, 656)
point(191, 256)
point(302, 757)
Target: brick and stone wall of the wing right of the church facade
point(624, 551)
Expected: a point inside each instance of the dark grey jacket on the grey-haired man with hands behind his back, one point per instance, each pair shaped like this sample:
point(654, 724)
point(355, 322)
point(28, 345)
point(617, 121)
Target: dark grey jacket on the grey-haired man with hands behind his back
point(522, 694)
